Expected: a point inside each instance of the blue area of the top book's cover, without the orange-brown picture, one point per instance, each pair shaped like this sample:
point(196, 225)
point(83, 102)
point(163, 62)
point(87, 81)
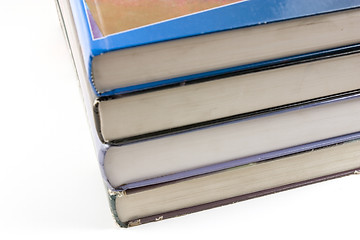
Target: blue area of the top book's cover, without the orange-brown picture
point(239, 14)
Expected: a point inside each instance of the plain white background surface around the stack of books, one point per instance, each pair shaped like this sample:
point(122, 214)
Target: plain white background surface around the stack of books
point(50, 184)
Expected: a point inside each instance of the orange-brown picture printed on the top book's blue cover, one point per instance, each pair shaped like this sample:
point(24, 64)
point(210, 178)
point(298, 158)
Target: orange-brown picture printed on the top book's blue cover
point(112, 16)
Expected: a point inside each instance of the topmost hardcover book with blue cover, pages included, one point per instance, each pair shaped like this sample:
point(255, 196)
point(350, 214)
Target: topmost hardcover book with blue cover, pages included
point(133, 45)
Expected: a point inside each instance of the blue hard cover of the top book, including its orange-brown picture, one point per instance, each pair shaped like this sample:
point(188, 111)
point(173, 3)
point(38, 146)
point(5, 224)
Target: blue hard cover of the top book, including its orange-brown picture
point(109, 25)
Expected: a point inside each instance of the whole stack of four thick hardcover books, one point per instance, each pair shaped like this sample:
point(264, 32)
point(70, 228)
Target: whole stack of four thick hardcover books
point(198, 104)
